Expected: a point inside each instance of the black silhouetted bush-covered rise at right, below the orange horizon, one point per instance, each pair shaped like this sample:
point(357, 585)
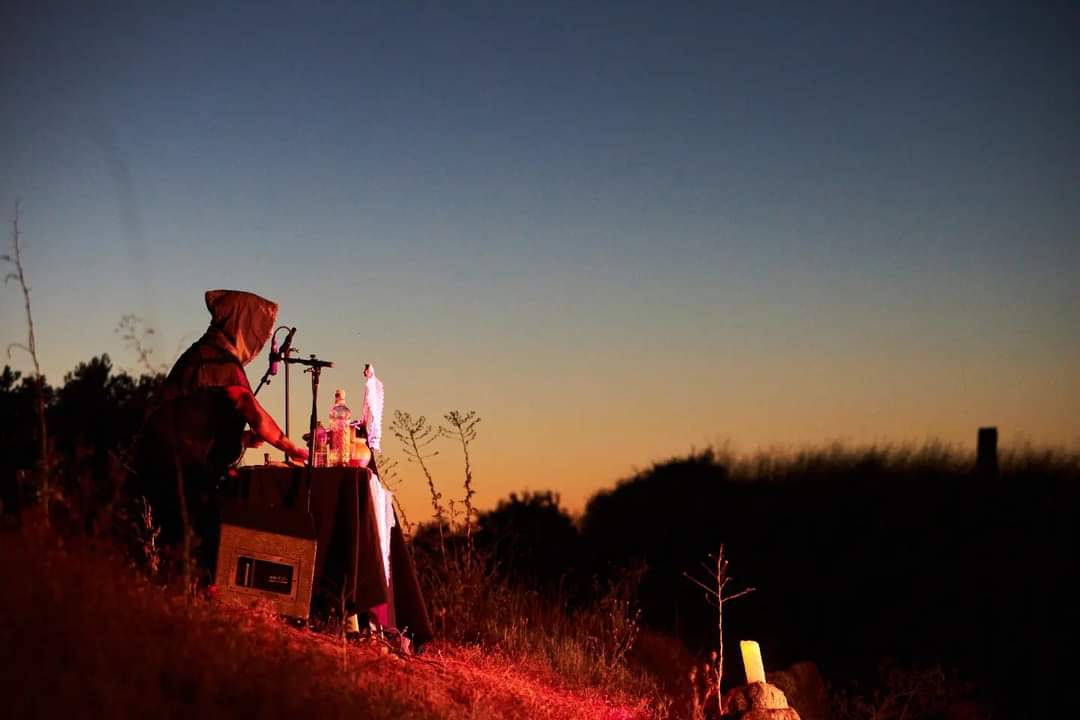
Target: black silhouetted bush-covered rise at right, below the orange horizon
point(858, 555)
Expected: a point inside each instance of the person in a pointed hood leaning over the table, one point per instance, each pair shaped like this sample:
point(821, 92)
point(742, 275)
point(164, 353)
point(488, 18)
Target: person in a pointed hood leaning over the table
point(198, 430)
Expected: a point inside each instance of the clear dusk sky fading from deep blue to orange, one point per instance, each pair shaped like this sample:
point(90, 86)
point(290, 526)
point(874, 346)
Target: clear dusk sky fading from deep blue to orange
point(617, 230)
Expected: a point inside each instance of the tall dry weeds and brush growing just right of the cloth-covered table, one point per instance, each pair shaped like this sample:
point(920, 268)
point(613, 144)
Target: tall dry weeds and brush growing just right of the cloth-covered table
point(588, 648)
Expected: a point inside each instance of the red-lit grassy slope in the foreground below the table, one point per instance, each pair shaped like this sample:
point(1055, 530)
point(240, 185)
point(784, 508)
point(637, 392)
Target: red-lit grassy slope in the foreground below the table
point(85, 635)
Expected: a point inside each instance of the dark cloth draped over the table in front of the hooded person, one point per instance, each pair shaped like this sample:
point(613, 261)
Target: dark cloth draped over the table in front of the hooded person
point(348, 560)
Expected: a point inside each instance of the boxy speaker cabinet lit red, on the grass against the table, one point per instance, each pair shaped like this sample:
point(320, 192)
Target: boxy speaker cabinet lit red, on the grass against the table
point(267, 555)
